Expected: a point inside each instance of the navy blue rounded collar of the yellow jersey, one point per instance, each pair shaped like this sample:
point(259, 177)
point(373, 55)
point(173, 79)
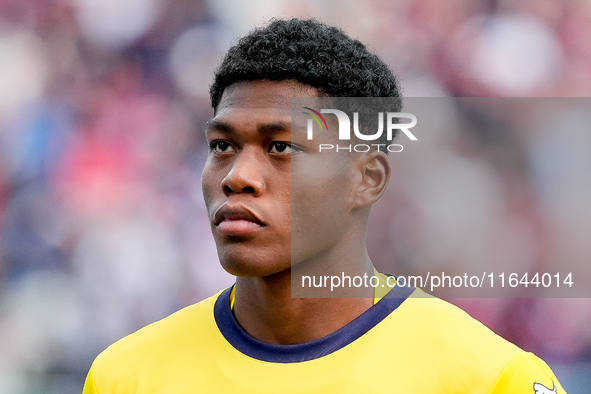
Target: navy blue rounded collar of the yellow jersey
point(254, 348)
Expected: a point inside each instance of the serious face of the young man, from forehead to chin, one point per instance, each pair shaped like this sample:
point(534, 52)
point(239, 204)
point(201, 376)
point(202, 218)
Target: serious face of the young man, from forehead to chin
point(261, 180)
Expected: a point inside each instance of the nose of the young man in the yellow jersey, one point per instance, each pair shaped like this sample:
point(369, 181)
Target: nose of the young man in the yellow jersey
point(246, 175)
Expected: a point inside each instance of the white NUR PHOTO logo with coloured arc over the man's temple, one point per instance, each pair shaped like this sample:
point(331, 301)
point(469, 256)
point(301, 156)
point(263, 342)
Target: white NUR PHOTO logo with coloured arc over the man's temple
point(392, 125)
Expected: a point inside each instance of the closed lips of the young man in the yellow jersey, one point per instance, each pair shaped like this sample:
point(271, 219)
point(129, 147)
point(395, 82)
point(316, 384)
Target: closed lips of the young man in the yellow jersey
point(237, 221)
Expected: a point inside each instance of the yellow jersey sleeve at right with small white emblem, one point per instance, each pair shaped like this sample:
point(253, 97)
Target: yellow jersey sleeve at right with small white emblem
point(527, 374)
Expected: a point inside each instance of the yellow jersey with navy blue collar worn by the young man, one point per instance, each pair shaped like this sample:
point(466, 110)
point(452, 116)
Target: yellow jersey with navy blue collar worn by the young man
point(407, 342)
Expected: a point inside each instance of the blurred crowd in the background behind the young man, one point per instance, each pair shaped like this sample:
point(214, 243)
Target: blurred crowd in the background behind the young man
point(102, 107)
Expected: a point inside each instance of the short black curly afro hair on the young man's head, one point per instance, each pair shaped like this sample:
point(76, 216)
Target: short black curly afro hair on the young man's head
point(309, 52)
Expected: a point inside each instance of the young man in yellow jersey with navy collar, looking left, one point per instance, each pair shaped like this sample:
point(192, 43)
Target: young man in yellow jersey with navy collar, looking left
point(276, 203)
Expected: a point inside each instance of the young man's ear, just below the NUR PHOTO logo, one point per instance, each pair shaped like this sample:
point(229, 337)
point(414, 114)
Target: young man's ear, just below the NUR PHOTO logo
point(375, 174)
